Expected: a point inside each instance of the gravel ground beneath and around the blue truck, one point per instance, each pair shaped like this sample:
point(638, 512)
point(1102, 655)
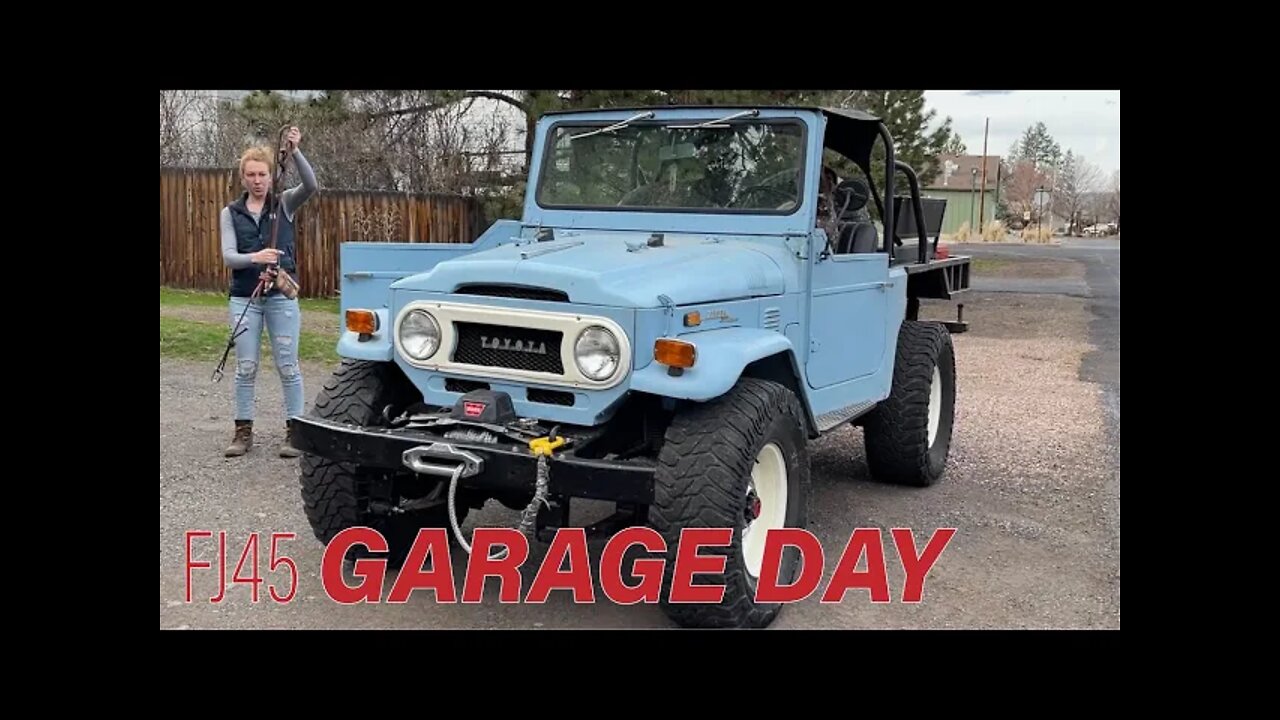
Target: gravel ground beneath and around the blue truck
point(1037, 543)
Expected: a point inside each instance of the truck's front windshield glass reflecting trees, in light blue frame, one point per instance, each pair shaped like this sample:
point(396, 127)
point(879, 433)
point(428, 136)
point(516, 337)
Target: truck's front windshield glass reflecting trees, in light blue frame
point(737, 167)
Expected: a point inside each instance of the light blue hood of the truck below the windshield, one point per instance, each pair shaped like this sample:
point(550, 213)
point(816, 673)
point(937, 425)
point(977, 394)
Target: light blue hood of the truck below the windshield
point(619, 270)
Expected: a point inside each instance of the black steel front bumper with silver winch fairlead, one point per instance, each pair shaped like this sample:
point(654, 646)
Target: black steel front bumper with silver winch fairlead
point(496, 468)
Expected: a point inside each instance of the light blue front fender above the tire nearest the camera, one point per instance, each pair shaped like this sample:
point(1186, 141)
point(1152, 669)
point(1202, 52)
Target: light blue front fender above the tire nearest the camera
point(723, 356)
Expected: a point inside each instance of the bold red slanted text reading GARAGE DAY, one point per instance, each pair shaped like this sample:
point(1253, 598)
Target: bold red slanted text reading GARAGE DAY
point(568, 567)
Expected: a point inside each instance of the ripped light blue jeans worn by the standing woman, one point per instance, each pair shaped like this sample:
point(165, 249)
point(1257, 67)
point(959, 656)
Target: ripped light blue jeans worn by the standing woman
point(284, 321)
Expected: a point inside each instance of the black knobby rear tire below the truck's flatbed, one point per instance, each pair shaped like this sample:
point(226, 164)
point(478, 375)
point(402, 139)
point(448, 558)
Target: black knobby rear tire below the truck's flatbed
point(898, 431)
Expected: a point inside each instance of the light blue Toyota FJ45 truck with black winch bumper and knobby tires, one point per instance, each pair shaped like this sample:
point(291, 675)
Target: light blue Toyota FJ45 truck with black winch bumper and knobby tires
point(688, 302)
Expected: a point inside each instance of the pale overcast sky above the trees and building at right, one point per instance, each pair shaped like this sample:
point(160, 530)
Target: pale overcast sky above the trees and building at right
point(1084, 121)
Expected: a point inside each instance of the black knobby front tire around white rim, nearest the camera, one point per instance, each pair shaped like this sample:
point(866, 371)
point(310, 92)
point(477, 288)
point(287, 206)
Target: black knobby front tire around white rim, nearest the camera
point(703, 475)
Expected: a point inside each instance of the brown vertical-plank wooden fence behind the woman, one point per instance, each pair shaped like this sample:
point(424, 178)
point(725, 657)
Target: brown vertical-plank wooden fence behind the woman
point(191, 202)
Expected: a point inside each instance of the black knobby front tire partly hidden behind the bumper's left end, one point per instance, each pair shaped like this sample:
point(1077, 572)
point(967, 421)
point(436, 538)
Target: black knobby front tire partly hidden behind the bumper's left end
point(336, 495)
